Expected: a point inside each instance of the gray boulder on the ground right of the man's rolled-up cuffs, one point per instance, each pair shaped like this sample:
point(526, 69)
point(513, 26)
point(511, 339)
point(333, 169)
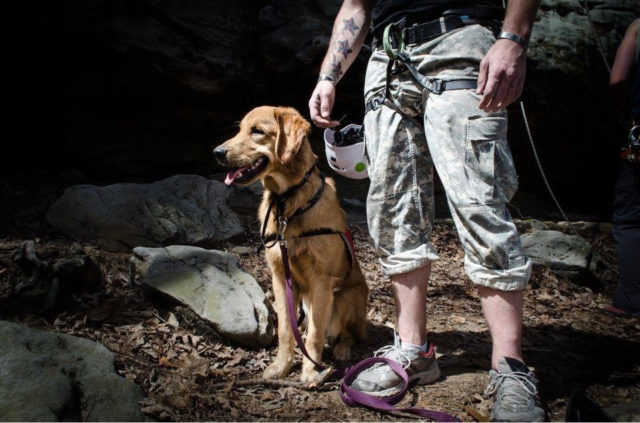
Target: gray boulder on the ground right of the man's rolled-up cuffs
point(559, 251)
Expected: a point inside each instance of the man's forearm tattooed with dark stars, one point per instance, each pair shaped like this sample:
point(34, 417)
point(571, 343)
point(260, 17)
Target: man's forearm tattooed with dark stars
point(349, 31)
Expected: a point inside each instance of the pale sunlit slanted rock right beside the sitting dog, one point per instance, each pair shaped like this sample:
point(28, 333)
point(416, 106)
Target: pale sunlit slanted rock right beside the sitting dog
point(212, 285)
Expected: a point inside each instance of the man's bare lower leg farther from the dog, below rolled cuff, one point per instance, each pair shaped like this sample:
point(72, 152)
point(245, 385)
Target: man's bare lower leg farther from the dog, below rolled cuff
point(503, 311)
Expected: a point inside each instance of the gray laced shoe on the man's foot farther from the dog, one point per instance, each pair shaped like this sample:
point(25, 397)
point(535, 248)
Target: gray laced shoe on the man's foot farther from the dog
point(516, 391)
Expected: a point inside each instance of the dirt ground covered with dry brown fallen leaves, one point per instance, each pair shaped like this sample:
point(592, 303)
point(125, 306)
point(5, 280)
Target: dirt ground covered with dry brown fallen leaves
point(190, 373)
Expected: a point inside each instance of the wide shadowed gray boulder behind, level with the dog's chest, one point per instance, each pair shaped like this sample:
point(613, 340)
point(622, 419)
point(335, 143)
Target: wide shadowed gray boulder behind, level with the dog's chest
point(185, 209)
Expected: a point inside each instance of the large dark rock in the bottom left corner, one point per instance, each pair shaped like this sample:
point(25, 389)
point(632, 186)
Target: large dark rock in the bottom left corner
point(54, 377)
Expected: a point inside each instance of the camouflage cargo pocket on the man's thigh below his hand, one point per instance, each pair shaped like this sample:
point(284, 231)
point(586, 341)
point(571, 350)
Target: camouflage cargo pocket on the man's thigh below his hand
point(488, 162)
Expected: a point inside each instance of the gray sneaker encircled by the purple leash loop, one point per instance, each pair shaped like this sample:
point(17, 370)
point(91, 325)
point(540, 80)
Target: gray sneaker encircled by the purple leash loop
point(381, 381)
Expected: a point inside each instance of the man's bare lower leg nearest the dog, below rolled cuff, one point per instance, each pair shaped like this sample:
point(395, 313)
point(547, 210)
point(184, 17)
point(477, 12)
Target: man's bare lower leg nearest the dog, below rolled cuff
point(410, 292)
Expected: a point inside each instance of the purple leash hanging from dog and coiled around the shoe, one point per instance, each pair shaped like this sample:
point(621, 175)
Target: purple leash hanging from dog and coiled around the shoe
point(350, 396)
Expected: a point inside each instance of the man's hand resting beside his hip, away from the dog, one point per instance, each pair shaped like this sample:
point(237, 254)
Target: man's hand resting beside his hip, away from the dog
point(502, 74)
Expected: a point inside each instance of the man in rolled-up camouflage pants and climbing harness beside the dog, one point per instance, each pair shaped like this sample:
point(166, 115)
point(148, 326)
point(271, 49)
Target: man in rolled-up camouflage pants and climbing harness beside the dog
point(462, 133)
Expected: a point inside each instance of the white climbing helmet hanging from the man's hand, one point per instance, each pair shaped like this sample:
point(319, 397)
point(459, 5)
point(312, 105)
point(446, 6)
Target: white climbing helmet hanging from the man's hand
point(348, 159)
